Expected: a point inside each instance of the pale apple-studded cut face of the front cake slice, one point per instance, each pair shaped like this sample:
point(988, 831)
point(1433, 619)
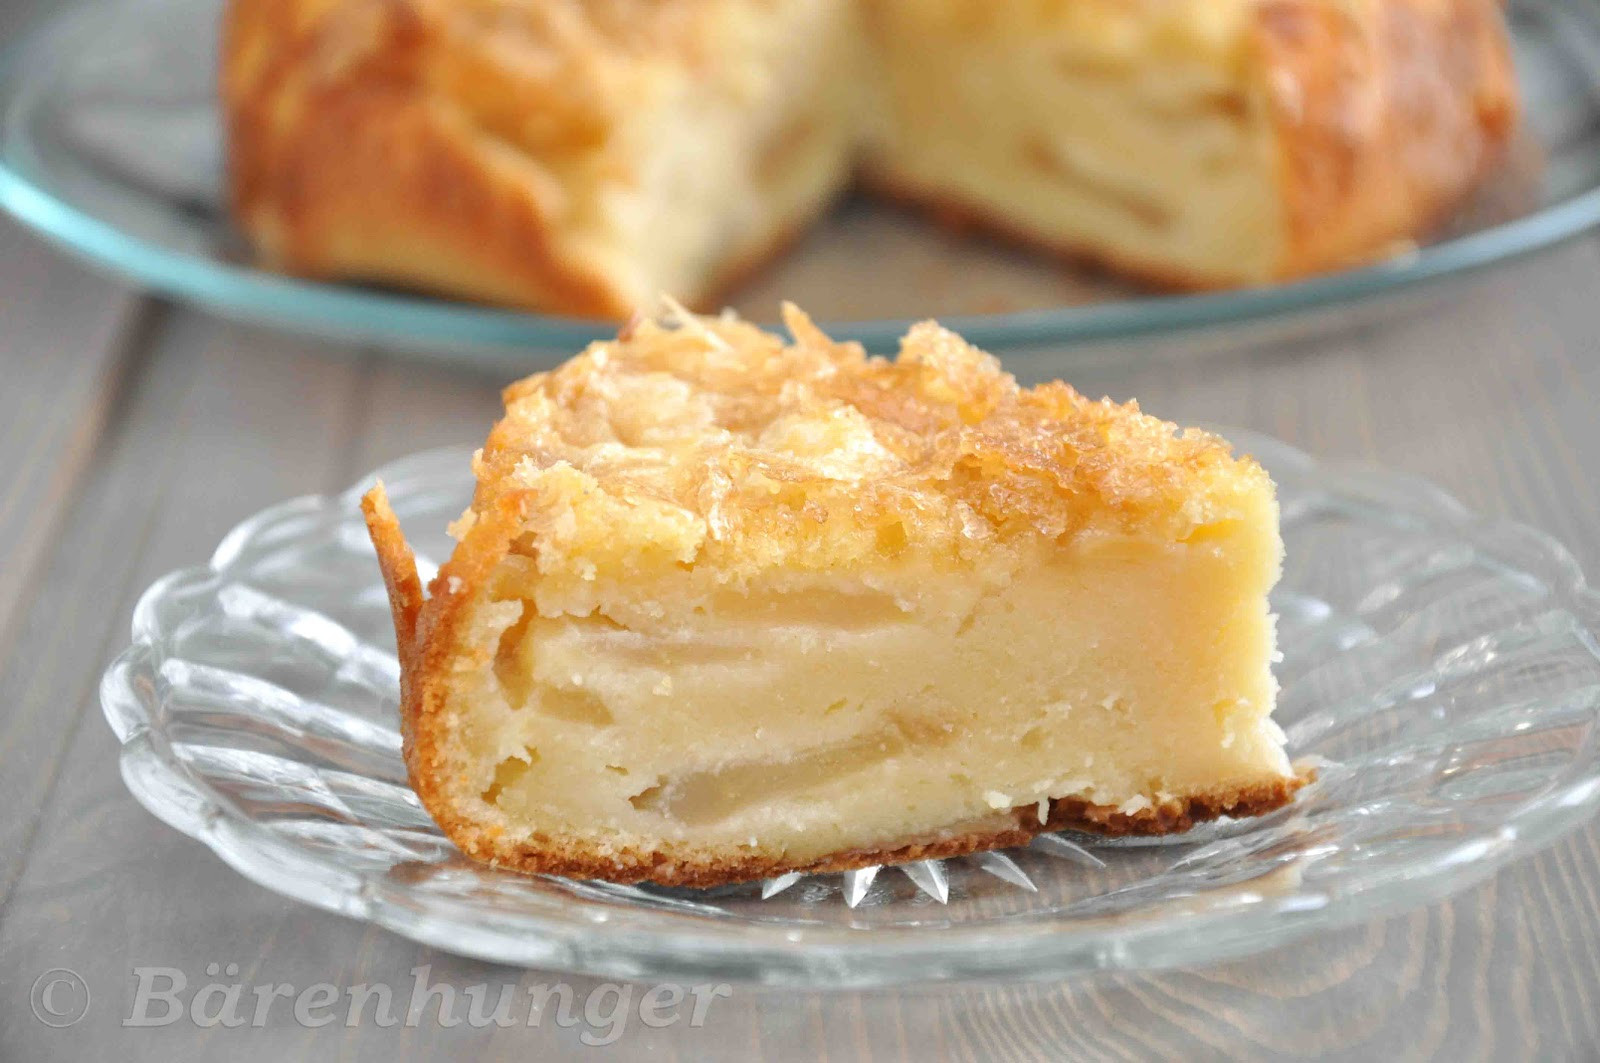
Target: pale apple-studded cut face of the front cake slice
point(1124, 673)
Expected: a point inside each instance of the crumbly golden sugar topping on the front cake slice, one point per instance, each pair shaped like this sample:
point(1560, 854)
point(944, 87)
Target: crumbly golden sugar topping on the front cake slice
point(695, 441)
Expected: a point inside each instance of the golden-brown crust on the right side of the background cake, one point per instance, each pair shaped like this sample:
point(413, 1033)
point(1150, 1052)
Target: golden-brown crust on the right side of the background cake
point(1386, 116)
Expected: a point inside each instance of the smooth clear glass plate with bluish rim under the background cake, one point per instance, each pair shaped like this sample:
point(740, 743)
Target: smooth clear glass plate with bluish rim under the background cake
point(111, 145)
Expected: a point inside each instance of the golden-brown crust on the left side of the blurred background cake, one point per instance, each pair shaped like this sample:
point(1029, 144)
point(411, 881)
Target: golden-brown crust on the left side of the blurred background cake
point(345, 166)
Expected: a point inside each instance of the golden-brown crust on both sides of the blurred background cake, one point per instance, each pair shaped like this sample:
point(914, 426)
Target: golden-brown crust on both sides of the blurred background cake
point(386, 140)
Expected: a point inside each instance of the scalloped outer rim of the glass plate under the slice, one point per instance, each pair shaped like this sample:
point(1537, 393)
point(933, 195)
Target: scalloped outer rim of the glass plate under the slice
point(596, 937)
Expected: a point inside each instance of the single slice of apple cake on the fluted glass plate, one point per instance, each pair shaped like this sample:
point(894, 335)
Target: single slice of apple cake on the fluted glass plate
point(727, 606)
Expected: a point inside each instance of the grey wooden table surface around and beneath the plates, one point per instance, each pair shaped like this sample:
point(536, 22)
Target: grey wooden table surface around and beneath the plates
point(134, 435)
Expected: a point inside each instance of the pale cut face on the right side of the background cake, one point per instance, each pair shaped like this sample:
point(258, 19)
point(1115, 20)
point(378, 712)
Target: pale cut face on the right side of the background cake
point(1135, 138)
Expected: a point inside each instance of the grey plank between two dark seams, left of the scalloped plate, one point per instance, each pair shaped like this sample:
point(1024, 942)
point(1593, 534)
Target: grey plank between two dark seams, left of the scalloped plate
point(196, 446)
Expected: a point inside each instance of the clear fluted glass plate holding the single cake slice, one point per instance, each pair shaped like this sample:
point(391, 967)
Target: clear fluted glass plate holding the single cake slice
point(1442, 668)
